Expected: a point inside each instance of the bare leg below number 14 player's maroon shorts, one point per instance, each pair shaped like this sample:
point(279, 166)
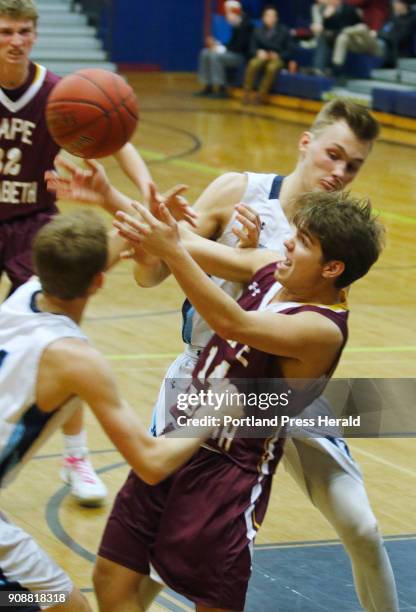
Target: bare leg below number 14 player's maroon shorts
point(120, 589)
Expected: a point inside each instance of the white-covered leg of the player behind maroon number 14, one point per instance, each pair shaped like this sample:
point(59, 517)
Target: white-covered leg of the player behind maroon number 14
point(336, 489)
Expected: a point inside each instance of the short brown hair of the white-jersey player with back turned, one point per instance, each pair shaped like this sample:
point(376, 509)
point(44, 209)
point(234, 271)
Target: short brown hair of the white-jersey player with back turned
point(68, 252)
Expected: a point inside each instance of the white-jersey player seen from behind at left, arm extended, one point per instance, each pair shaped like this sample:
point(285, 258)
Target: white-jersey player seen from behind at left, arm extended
point(45, 362)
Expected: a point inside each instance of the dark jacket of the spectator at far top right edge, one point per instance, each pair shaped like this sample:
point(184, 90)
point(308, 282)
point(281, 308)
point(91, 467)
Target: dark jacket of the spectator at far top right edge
point(398, 34)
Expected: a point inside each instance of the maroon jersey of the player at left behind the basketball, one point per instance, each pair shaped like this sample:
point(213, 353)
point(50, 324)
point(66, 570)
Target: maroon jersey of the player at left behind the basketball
point(26, 147)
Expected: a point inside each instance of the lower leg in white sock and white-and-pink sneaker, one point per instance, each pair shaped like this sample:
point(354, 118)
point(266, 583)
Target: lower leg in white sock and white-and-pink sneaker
point(77, 471)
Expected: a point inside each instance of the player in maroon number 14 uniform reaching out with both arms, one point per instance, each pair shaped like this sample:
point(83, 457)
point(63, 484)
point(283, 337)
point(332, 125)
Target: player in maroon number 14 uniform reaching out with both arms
point(195, 531)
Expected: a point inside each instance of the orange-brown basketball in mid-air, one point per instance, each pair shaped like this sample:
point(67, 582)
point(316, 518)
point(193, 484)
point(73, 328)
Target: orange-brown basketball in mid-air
point(92, 113)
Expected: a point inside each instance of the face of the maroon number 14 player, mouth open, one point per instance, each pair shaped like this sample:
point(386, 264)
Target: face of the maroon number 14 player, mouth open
point(301, 271)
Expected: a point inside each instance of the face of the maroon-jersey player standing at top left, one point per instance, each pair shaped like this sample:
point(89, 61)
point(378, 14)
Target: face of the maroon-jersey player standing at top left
point(16, 41)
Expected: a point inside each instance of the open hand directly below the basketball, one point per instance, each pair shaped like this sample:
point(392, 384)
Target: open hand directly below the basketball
point(87, 186)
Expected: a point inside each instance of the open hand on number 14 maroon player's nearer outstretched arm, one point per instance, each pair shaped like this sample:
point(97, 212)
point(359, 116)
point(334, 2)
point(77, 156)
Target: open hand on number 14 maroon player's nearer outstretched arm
point(157, 236)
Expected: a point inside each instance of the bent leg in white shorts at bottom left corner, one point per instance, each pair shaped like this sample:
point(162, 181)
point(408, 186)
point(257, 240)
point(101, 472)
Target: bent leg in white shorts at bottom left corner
point(27, 569)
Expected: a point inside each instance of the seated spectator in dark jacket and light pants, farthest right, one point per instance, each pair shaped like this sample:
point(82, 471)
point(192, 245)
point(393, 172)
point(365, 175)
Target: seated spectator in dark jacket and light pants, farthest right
point(394, 38)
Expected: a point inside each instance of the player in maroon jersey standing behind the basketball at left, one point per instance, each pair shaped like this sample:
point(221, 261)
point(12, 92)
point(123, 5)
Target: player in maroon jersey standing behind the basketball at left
point(26, 152)
